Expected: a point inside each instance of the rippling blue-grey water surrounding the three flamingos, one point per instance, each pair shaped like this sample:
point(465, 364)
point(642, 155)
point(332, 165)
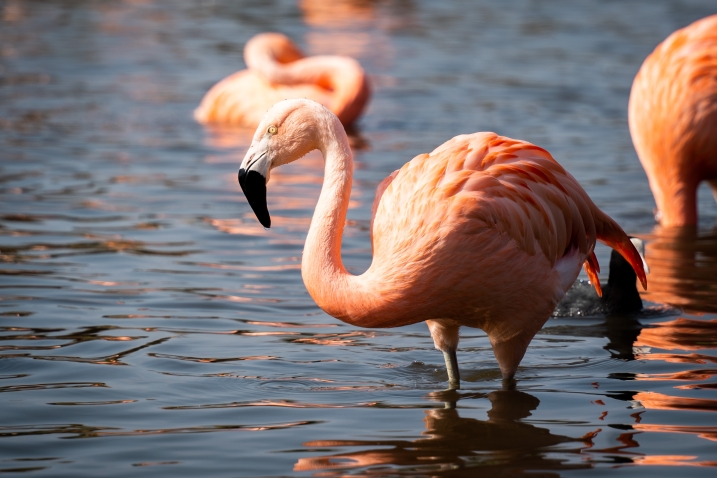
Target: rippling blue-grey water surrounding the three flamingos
point(151, 327)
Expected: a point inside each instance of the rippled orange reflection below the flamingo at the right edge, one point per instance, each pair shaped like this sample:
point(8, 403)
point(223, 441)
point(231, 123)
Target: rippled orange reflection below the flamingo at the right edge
point(683, 268)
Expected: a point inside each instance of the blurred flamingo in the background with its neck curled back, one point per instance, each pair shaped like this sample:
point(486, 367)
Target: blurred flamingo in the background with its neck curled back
point(277, 70)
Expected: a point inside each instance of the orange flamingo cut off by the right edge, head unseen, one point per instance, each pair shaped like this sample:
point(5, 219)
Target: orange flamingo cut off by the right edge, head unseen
point(673, 120)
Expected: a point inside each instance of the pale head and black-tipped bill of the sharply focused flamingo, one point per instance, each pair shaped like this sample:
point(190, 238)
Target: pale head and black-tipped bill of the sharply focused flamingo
point(288, 131)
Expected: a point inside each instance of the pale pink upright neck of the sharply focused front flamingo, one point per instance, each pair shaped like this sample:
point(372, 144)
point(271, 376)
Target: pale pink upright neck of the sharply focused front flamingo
point(324, 274)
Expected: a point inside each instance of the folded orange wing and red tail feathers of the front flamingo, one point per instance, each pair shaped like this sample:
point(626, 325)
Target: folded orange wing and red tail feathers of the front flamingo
point(479, 181)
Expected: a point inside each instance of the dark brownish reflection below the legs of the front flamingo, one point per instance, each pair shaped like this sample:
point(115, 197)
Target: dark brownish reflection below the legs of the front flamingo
point(501, 443)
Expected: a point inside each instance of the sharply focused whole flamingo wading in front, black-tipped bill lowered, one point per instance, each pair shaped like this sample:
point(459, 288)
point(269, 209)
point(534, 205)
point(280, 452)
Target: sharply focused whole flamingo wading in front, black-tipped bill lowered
point(485, 231)
